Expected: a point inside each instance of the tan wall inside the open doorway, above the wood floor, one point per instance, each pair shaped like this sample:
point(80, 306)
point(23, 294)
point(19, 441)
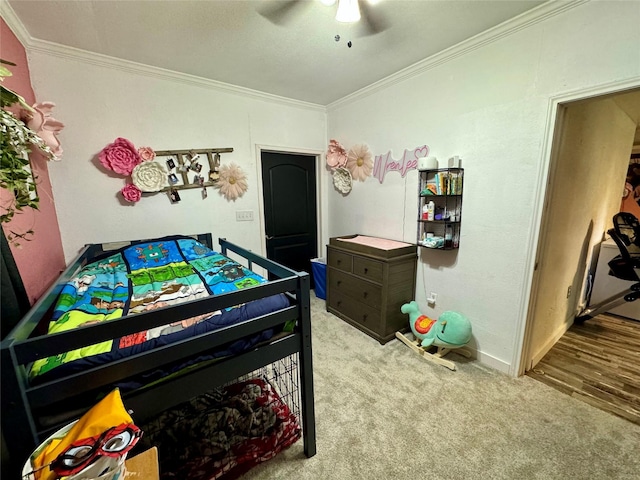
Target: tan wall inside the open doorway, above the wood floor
point(589, 157)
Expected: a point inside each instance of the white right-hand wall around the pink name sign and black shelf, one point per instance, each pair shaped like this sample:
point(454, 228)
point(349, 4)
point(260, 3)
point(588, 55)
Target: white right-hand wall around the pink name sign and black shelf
point(489, 104)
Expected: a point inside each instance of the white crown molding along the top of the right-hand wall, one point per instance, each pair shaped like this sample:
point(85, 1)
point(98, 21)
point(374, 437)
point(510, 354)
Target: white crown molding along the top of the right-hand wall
point(509, 27)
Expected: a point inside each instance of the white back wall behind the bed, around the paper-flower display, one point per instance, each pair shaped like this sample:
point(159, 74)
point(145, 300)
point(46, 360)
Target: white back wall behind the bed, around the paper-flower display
point(99, 103)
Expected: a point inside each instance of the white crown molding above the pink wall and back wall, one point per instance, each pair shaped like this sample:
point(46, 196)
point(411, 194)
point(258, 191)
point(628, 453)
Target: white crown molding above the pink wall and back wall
point(57, 50)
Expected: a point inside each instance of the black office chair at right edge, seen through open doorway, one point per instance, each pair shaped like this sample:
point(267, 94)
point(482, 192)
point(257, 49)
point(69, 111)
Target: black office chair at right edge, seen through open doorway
point(625, 266)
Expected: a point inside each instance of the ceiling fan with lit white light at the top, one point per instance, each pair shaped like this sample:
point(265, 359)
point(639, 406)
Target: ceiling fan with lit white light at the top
point(348, 11)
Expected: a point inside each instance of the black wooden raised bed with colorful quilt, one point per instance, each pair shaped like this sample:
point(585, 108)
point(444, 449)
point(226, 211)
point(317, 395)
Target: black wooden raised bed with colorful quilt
point(165, 320)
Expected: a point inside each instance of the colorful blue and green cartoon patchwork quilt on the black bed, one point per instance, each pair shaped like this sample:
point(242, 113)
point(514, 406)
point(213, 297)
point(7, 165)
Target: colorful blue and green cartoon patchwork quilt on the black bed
point(145, 277)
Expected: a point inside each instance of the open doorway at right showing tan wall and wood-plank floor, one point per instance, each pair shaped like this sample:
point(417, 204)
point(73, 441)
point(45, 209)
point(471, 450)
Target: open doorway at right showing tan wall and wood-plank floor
point(593, 142)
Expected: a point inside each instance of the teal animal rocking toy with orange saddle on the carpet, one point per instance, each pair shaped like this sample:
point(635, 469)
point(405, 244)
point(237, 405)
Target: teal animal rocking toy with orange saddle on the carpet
point(450, 331)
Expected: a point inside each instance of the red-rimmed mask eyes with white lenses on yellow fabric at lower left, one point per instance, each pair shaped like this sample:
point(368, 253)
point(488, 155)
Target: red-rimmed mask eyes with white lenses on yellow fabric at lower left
point(113, 442)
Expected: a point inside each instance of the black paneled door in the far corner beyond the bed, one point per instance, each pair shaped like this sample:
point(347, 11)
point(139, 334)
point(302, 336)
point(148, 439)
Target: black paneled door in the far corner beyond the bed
point(290, 208)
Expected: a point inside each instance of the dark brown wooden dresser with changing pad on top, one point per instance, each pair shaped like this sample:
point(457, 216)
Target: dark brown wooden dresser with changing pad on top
point(368, 280)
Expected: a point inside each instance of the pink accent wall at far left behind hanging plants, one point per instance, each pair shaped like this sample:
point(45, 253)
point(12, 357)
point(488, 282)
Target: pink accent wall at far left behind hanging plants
point(40, 260)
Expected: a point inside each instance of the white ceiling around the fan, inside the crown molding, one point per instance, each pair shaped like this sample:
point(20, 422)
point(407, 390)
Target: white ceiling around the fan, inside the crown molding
point(230, 42)
